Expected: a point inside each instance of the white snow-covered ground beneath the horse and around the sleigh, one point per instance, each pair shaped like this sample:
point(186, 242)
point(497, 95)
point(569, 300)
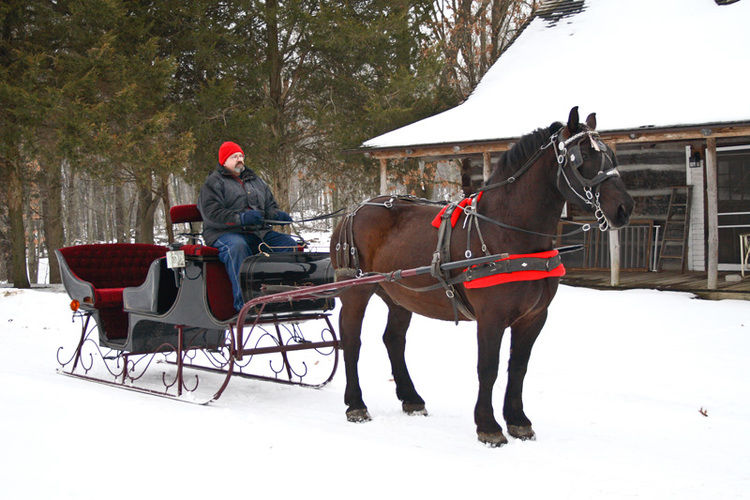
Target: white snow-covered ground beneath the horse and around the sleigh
point(615, 388)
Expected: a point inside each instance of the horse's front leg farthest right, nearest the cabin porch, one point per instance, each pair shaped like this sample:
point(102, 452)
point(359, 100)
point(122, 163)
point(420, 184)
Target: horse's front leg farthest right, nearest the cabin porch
point(523, 335)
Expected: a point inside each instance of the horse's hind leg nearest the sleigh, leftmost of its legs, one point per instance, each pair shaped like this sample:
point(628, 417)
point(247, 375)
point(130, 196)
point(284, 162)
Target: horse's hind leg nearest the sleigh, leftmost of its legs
point(353, 304)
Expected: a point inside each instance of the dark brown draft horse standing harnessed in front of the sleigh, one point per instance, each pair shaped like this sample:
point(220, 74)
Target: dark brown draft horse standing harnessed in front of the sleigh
point(520, 207)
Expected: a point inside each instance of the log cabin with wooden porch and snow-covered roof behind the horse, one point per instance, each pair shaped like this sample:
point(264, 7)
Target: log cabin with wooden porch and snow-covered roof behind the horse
point(668, 81)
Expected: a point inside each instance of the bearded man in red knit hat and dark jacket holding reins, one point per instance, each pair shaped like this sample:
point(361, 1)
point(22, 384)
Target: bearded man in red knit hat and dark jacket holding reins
point(235, 205)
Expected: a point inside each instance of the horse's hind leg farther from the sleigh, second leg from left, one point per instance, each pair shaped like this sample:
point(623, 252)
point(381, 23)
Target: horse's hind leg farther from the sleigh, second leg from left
point(394, 339)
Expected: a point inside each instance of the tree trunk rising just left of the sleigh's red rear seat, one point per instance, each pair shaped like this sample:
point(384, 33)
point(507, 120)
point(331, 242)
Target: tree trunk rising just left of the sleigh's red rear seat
point(52, 210)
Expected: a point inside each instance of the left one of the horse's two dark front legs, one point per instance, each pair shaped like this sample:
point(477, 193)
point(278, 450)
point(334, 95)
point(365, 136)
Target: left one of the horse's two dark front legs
point(489, 336)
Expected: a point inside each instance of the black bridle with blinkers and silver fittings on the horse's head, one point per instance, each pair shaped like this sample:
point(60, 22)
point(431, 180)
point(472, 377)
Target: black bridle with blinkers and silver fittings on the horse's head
point(571, 156)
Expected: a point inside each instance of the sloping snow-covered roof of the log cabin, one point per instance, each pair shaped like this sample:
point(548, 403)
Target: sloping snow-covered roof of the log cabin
point(636, 63)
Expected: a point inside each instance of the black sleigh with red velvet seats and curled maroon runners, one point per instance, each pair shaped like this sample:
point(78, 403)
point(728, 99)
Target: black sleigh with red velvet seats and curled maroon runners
point(160, 320)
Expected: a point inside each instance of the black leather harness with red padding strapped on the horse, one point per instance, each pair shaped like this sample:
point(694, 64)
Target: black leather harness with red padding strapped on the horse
point(543, 264)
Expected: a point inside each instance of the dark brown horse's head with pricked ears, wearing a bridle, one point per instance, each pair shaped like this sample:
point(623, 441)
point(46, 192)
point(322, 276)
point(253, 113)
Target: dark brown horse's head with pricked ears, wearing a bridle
point(587, 172)
